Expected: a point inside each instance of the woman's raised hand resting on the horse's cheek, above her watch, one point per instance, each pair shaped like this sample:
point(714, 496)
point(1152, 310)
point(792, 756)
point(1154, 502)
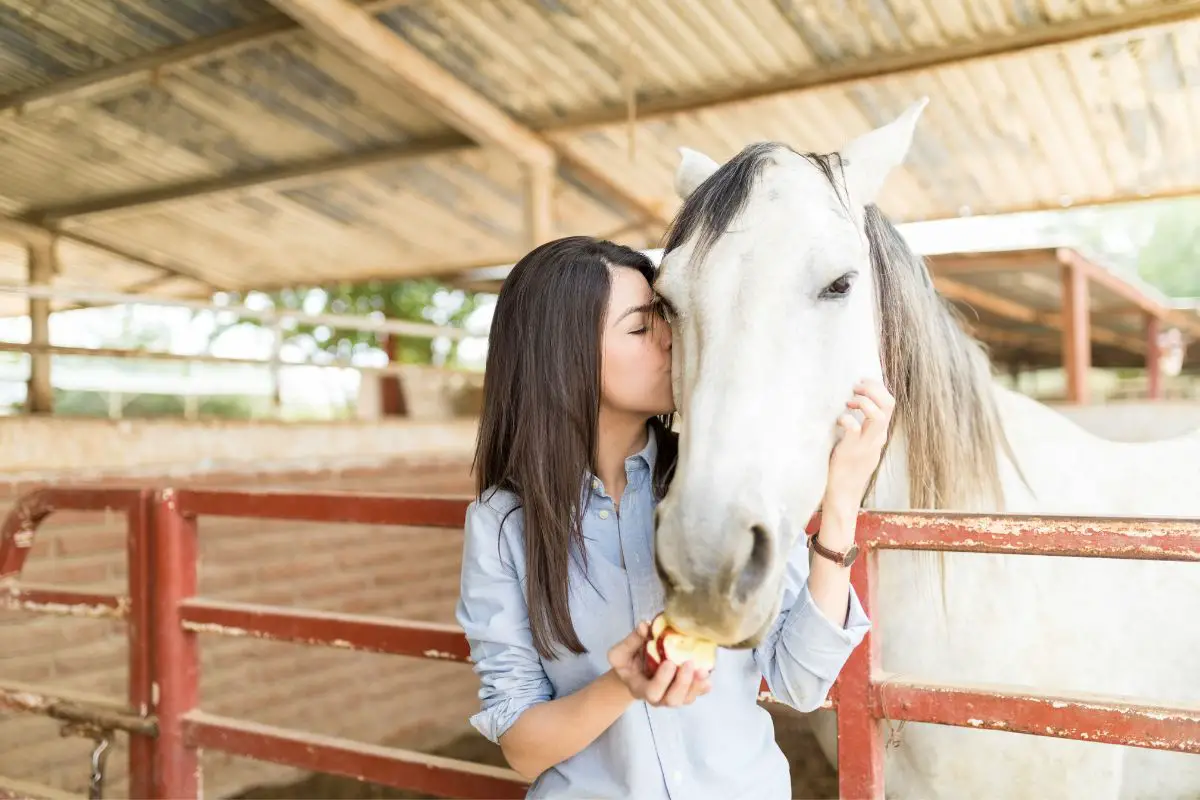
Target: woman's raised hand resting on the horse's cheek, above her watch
point(857, 455)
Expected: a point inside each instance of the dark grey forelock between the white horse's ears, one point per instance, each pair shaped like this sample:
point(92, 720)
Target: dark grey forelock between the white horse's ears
point(712, 208)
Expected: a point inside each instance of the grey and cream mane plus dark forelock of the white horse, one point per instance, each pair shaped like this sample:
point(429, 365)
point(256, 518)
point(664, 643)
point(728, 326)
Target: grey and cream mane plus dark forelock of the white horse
point(939, 375)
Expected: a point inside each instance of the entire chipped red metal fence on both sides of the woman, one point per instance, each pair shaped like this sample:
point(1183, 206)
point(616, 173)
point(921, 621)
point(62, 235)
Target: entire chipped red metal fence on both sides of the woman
point(165, 616)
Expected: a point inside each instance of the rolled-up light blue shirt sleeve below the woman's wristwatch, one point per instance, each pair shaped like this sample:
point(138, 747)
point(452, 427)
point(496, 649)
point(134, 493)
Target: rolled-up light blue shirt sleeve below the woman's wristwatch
point(805, 652)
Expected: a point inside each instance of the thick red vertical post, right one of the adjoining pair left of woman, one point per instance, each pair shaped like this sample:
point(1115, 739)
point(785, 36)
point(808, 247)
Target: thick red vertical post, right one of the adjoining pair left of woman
point(177, 658)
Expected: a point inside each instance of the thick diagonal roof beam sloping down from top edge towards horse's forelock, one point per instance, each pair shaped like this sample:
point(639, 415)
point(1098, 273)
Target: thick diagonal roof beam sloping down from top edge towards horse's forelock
point(358, 35)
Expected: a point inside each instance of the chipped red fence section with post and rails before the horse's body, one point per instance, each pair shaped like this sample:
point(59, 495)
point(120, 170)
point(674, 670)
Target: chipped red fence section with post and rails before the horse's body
point(866, 694)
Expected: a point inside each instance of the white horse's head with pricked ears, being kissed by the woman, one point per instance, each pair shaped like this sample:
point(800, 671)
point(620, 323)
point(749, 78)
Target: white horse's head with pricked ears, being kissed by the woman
point(767, 276)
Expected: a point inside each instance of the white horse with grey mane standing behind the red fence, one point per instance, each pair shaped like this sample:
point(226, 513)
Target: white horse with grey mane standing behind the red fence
point(787, 286)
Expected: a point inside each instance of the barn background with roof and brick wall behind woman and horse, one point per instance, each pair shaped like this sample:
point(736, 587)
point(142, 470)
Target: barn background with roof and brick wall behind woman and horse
point(259, 242)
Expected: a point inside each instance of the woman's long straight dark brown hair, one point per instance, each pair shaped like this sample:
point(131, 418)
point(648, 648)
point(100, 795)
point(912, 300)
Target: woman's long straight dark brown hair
point(542, 408)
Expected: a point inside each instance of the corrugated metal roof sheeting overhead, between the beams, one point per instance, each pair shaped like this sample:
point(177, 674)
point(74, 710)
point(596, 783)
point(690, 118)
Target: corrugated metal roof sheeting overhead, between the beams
point(1078, 122)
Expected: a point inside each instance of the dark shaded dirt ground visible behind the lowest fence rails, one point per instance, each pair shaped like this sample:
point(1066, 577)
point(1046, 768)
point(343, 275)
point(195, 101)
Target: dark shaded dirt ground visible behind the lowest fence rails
point(813, 778)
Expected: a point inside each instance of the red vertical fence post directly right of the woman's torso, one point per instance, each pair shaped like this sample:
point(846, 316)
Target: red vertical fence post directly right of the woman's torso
point(860, 745)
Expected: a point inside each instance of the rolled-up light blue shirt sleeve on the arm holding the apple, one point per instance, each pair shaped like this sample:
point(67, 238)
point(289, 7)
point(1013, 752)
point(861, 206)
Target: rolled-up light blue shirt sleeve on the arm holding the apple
point(494, 615)
